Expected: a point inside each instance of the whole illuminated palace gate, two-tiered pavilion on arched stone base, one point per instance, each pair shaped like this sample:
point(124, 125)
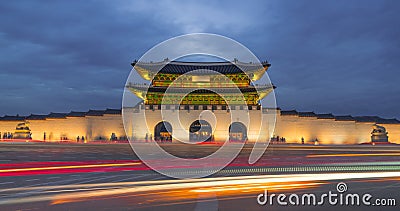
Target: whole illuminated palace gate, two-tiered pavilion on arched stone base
point(205, 94)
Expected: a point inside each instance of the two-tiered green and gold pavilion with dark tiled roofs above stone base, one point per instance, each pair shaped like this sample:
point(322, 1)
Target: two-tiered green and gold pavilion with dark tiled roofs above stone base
point(175, 75)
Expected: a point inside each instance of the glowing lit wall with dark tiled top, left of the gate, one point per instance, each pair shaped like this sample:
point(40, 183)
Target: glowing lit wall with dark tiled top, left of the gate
point(73, 126)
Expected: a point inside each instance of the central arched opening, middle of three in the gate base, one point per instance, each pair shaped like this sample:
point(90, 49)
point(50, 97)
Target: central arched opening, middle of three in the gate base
point(200, 131)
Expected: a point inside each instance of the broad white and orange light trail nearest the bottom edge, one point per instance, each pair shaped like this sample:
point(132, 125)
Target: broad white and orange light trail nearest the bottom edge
point(179, 191)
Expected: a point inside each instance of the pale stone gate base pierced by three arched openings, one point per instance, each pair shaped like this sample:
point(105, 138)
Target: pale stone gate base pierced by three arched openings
point(144, 122)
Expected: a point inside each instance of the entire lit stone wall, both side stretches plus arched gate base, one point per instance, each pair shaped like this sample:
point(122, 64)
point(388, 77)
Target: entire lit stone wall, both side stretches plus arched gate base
point(291, 127)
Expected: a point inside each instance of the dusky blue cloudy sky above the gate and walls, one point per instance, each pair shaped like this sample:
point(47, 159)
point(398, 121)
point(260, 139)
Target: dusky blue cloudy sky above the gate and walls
point(327, 56)
